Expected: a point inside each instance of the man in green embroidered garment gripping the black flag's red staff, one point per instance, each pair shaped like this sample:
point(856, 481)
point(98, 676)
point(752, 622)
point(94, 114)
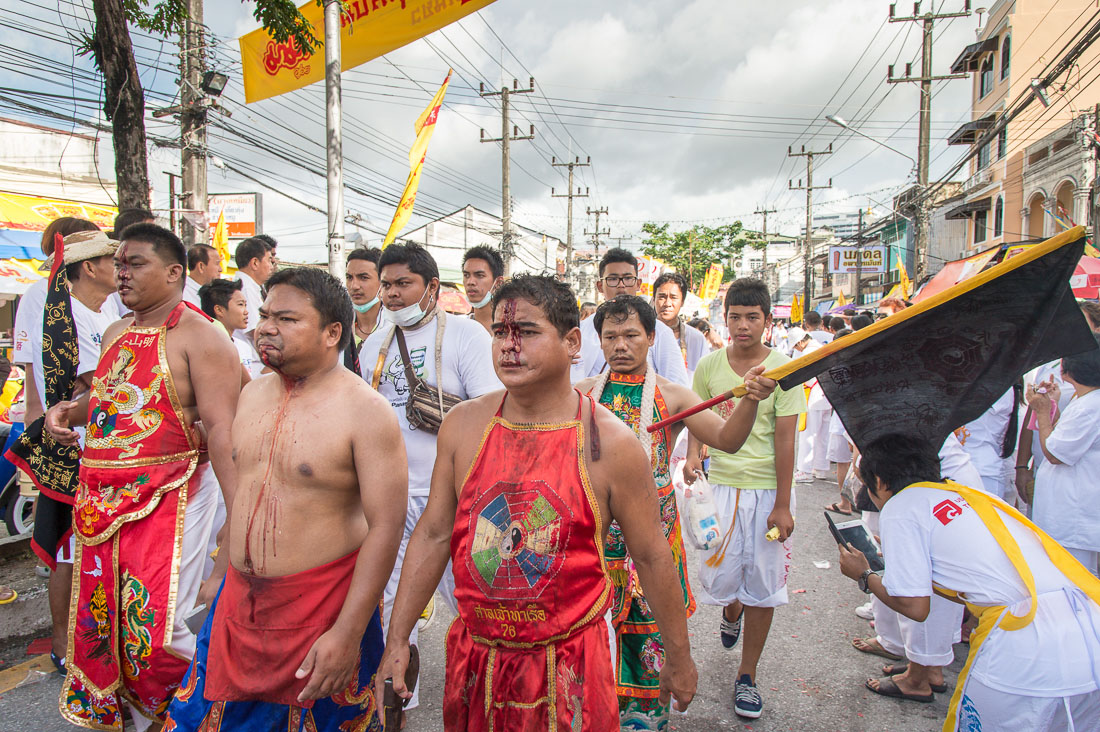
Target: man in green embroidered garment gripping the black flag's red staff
point(634, 392)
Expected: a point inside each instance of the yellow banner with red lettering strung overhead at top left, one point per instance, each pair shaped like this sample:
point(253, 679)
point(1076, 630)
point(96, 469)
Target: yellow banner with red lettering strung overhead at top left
point(369, 29)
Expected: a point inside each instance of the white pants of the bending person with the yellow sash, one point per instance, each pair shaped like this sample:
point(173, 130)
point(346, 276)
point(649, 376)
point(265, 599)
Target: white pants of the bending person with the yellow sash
point(985, 708)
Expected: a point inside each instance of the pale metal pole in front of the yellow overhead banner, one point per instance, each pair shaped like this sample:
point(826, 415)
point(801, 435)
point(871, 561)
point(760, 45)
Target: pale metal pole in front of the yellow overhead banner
point(334, 143)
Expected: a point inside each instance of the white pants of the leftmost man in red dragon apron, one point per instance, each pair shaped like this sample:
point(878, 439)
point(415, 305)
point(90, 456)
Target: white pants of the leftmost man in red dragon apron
point(199, 520)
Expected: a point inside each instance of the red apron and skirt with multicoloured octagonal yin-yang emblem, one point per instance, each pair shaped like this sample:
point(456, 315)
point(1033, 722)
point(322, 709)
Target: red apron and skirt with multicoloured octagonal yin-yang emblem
point(530, 648)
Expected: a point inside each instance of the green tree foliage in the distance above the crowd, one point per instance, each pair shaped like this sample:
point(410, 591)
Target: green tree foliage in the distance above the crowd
point(694, 250)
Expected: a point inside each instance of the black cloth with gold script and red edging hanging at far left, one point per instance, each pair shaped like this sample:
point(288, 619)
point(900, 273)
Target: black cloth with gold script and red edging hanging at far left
point(52, 466)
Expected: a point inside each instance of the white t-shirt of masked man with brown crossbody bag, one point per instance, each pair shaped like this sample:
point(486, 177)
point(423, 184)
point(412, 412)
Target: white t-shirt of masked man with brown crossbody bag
point(468, 373)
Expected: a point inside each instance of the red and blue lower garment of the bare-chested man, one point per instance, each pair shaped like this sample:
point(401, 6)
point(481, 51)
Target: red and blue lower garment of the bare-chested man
point(258, 633)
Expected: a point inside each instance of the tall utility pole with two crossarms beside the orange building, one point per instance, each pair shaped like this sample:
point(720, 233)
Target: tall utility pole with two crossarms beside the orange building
point(925, 138)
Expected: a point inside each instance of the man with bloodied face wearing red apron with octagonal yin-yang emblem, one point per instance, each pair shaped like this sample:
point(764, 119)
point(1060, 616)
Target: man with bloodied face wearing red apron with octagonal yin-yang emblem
point(525, 487)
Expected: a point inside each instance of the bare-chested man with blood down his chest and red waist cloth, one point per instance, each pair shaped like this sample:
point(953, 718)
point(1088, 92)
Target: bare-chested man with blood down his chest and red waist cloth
point(295, 637)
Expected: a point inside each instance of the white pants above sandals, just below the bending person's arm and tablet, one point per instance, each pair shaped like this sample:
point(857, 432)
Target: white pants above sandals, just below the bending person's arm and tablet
point(928, 643)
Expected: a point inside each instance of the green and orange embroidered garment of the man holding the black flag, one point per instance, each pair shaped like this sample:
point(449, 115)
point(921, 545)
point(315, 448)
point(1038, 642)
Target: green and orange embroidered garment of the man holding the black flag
point(641, 655)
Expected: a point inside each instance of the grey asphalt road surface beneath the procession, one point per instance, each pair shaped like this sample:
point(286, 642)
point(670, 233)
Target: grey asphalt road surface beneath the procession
point(810, 676)
